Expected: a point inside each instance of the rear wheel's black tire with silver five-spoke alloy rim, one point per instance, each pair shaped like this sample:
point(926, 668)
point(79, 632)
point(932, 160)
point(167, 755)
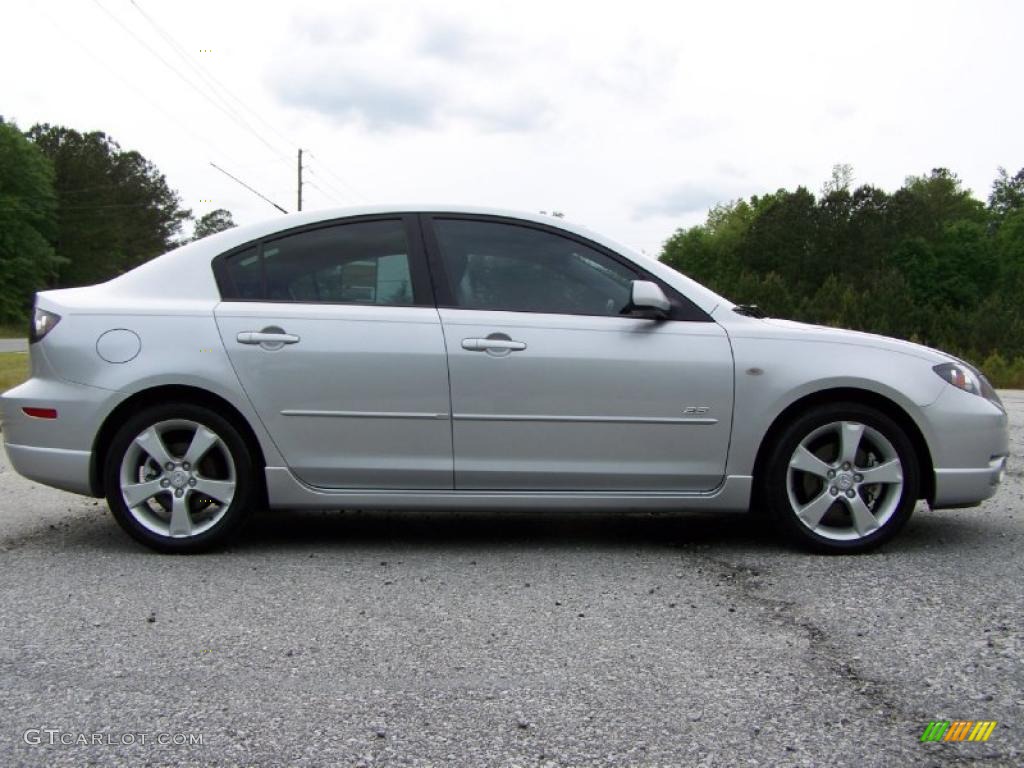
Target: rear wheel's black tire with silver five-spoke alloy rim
point(215, 521)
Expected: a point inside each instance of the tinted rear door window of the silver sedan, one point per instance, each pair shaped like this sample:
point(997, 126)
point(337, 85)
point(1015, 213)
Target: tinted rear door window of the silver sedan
point(365, 263)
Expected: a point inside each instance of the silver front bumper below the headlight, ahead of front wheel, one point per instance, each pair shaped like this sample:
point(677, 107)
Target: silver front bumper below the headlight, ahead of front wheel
point(969, 439)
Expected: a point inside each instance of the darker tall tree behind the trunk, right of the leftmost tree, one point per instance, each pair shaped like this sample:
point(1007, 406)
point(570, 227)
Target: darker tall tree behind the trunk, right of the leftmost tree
point(115, 209)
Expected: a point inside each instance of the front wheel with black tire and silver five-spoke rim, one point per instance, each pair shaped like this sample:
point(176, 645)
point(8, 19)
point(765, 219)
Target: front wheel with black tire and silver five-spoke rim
point(784, 492)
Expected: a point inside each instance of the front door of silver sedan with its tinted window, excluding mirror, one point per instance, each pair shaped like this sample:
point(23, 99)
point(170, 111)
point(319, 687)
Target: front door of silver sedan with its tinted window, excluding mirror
point(552, 389)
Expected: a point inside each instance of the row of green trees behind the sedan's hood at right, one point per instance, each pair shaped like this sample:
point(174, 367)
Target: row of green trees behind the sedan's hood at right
point(928, 263)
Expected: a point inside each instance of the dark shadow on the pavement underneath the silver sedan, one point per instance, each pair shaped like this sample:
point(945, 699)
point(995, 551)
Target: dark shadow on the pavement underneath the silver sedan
point(283, 532)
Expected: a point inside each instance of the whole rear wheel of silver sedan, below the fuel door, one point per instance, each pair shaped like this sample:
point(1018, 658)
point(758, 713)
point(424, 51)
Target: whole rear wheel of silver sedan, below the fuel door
point(179, 478)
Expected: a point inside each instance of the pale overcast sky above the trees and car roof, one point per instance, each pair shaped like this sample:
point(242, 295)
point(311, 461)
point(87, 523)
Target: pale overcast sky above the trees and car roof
point(633, 117)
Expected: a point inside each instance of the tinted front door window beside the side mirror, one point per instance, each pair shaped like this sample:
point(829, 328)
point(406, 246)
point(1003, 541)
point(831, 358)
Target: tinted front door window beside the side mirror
point(500, 267)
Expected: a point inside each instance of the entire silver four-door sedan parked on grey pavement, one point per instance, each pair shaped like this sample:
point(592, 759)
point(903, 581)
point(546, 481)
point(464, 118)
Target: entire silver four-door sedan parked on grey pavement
point(398, 358)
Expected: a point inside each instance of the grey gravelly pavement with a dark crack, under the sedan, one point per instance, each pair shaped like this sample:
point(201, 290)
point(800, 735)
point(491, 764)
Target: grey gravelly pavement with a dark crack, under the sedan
point(343, 639)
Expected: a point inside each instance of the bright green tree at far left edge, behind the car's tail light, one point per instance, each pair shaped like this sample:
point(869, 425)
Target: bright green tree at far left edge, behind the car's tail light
point(28, 224)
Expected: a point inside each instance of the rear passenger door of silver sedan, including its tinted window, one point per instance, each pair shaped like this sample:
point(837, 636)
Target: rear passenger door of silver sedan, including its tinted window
point(336, 342)
